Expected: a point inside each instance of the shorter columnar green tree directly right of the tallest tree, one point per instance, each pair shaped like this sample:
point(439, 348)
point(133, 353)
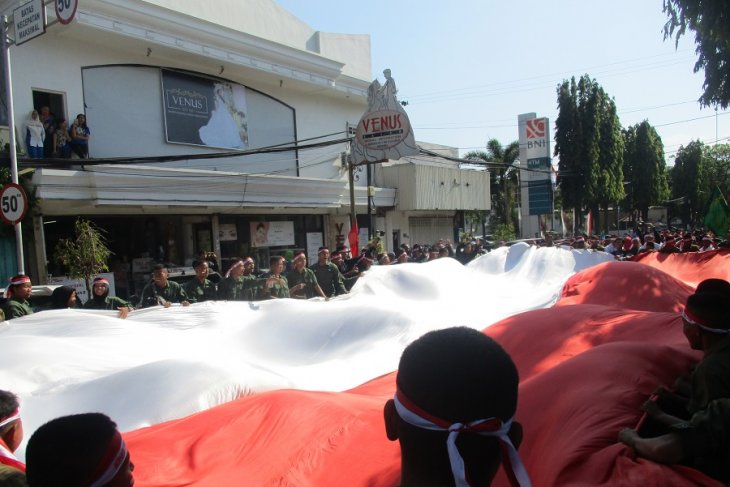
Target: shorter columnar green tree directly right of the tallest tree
point(644, 168)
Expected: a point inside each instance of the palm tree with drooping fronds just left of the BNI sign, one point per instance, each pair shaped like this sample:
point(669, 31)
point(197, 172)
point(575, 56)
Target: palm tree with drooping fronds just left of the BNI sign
point(503, 179)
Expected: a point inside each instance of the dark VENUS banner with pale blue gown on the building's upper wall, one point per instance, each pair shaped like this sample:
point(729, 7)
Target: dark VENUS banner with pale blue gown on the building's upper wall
point(203, 111)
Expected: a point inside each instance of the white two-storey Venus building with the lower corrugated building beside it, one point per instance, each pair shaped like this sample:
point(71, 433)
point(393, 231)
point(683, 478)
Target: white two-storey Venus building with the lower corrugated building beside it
point(182, 84)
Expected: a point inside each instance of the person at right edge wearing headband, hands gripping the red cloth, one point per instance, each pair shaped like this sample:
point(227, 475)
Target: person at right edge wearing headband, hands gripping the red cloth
point(697, 431)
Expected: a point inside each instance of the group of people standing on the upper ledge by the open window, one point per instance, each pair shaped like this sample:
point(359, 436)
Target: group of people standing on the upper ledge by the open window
point(49, 137)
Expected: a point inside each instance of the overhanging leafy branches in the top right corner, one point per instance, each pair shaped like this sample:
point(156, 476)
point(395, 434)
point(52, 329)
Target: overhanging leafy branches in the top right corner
point(709, 19)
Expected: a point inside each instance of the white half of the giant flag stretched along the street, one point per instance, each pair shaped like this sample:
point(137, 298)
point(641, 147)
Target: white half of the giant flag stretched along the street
point(161, 364)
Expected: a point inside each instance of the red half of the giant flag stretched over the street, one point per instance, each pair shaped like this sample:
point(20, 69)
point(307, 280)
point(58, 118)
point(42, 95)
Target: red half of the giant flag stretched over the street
point(585, 366)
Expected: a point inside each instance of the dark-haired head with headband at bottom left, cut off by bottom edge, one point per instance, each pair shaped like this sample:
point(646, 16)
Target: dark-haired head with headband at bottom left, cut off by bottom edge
point(78, 451)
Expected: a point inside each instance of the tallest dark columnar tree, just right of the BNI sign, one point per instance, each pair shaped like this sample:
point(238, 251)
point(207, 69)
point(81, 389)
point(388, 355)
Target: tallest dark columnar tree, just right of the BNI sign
point(589, 145)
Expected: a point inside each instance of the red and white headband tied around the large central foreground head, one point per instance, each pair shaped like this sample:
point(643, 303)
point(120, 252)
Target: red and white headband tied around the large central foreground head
point(414, 415)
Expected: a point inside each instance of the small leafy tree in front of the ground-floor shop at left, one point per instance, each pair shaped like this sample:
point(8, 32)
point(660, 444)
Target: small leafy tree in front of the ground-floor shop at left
point(85, 255)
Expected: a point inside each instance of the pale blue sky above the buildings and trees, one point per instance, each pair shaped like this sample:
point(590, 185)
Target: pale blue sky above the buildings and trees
point(468, 68)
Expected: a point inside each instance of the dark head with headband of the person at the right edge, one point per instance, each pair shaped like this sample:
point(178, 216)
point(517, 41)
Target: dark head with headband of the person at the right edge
point(706, 317)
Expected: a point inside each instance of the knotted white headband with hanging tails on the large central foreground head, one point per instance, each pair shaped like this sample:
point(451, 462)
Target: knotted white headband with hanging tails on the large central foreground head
point(457, 463)
